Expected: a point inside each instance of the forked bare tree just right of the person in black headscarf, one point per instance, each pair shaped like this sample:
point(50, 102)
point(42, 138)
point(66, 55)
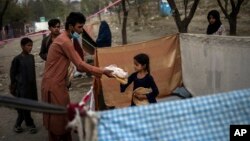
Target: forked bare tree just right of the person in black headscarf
point(232, 17)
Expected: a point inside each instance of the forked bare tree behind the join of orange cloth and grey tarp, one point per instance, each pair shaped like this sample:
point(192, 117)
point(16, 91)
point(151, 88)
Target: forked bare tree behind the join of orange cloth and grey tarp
point(182, 24)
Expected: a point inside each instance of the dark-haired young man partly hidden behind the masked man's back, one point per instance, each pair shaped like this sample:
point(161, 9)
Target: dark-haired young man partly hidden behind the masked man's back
point(54, 27)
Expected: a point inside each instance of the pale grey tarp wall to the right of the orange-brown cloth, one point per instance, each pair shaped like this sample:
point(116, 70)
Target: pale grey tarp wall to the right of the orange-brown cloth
point(212, 63)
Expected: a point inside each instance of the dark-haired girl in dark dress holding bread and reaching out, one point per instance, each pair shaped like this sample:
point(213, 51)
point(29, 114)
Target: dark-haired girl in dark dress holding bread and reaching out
point(142, 79)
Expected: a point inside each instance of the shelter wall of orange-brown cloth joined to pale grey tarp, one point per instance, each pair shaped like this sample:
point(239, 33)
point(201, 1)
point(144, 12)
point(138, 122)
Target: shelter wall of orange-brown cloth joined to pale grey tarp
point(205, 64)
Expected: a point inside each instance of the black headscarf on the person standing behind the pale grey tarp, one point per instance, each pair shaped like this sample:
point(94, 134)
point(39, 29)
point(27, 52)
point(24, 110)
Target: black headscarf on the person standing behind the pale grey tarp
point(212, 28)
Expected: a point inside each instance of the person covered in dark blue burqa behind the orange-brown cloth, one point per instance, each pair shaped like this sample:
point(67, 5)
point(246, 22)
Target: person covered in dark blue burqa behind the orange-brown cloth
point(104, 38)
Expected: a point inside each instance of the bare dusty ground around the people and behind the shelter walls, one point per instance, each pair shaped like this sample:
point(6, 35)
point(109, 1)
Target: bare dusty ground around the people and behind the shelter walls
point(153, 28)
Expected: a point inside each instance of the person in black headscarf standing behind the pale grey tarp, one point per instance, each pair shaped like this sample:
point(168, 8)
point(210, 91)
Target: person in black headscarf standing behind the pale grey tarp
point(215, 26)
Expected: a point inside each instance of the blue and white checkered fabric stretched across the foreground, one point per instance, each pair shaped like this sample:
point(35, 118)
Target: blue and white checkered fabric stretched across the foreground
point(206, 118)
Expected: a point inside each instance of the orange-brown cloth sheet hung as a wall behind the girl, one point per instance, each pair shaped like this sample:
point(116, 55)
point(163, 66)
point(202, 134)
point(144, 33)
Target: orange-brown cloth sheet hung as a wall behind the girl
point(165, 66)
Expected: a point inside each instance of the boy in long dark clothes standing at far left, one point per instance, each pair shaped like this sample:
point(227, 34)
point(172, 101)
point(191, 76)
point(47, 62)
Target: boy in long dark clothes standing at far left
point(23, 83)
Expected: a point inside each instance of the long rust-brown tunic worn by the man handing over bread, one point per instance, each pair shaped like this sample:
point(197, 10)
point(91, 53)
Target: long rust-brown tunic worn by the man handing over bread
point(54, 89)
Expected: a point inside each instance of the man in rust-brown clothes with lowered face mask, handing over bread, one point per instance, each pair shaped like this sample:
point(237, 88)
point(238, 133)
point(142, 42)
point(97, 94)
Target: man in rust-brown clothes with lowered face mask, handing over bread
point(54, 87)
